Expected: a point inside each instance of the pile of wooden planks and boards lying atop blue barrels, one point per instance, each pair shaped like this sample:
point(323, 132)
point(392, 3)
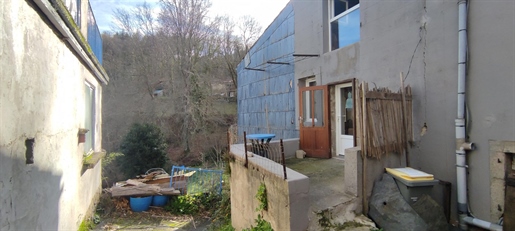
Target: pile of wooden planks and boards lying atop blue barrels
point(154, 183)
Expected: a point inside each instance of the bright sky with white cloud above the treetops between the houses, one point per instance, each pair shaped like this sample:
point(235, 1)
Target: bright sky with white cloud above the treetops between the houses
point(264, 11)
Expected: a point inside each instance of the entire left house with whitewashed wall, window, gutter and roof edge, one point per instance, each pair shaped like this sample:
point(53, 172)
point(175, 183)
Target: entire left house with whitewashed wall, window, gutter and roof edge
point(50, 125)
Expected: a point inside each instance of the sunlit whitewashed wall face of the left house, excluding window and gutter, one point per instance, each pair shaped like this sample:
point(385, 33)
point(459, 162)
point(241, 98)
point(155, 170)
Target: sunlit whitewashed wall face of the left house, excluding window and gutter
point(42, 97)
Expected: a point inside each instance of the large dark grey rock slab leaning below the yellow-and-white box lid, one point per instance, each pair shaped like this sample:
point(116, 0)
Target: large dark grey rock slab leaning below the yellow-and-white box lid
point(390, 211)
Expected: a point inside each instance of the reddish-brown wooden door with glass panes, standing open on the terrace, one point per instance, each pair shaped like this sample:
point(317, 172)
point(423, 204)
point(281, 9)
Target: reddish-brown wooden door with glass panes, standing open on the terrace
point(314, 121)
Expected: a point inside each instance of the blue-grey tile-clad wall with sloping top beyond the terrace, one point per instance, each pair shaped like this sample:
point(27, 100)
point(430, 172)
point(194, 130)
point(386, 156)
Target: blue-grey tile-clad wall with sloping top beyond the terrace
point(266, 99)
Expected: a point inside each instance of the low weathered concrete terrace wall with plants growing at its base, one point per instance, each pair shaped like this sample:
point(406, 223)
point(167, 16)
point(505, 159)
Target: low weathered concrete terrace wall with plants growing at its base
point(288, 200)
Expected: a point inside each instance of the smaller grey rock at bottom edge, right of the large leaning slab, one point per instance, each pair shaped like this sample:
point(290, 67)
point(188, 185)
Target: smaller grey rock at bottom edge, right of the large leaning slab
point(431, 212)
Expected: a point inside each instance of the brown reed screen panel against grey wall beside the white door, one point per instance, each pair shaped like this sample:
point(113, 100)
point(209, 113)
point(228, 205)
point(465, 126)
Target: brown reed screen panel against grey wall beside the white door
point(387, 119)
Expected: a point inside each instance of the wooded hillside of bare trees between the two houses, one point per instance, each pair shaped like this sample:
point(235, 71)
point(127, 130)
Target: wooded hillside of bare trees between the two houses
point(163, 68)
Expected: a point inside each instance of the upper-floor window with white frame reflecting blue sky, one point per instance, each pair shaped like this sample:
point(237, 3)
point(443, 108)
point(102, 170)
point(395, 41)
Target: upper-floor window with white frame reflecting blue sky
point(344, 23)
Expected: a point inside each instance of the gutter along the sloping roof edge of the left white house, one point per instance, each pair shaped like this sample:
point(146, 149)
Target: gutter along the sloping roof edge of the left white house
point(75, 40)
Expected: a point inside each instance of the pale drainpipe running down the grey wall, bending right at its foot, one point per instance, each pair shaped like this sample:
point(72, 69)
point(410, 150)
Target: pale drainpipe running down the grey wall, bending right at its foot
point(461, 145)
